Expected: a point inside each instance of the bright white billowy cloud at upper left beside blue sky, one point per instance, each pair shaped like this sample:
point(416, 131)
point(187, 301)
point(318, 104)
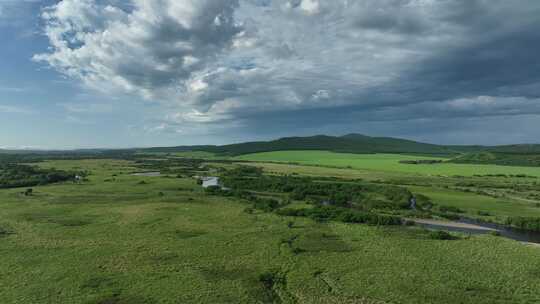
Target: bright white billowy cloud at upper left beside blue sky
point(149, 47)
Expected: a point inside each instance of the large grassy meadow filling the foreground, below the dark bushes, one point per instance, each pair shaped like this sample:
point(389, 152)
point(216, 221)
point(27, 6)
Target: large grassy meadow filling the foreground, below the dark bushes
point(114, 239)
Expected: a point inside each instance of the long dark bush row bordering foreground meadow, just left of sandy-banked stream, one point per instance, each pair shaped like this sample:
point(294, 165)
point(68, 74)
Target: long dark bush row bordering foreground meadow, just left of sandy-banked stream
point(327, 213)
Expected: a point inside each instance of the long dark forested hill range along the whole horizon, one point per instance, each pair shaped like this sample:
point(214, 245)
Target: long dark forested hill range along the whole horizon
point(519, 155)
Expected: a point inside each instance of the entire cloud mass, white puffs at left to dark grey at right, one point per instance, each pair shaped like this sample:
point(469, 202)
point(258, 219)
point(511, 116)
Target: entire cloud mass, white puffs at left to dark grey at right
point(255, 64)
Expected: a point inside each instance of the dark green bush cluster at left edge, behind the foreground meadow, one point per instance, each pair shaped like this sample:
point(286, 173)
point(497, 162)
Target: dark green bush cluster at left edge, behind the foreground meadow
point(13, 175)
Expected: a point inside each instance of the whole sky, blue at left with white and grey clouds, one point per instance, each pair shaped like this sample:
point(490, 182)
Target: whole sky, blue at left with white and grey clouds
point(139, 73)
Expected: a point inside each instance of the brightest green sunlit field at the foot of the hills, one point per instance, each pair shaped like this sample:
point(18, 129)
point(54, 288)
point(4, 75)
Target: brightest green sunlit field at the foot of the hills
point(385, 162)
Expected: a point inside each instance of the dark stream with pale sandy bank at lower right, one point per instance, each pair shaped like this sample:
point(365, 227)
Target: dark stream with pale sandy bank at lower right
point(484, 228)
